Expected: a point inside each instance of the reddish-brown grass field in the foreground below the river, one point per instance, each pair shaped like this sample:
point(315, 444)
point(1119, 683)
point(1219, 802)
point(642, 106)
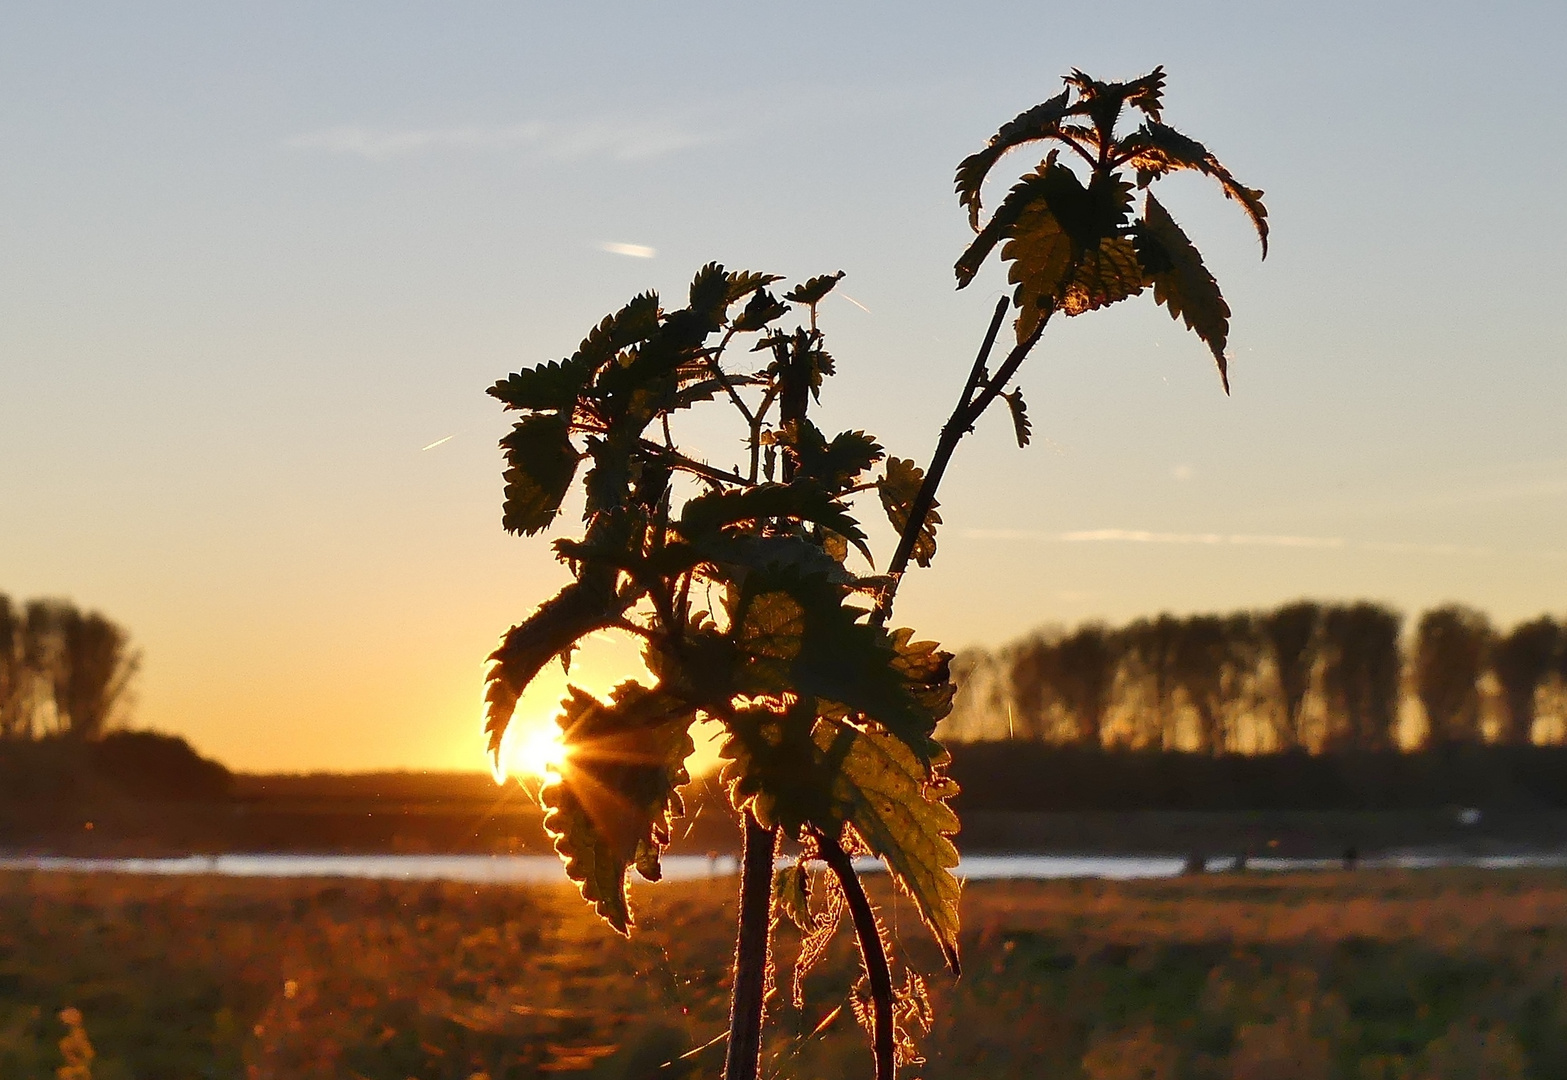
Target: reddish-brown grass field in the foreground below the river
point(1361, 976)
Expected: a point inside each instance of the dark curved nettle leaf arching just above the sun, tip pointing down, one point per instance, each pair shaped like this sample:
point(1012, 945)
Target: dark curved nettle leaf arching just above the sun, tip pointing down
point(552, 631)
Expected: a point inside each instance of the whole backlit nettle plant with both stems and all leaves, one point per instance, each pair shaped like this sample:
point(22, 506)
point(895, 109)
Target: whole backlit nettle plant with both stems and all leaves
point(742, 582)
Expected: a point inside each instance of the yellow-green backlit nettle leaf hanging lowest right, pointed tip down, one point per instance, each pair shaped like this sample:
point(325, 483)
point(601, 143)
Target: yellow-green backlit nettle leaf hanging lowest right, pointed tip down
point(899, 806)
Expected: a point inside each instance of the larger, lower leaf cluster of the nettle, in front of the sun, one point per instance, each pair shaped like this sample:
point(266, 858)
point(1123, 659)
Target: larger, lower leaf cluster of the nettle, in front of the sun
point(739, 584)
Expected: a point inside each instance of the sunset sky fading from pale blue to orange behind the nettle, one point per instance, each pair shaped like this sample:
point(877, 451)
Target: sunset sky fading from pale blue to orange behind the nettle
point(261, 264)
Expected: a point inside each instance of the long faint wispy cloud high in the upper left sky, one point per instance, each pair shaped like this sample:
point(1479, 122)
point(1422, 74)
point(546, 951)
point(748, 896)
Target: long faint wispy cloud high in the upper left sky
point(607, 139)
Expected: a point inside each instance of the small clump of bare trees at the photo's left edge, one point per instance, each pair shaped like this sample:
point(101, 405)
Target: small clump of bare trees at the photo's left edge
point(63, 672)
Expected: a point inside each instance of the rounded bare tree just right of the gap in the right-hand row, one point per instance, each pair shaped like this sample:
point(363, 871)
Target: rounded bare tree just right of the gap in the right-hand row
point(1452, 651)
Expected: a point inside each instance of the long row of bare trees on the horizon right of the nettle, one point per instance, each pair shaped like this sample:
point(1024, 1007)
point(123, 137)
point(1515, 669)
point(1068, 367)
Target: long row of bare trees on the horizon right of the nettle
point(1308, 676)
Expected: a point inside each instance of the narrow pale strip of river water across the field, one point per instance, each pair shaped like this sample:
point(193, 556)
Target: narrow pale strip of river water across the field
point(524, 869)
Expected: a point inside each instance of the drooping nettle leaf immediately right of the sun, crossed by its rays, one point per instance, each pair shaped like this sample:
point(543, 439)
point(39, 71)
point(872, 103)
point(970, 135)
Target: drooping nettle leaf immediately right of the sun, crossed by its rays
point(618, 791)
